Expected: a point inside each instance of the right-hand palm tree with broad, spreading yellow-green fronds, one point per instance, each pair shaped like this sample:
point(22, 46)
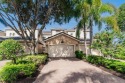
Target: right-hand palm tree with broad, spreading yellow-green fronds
point(97, 8)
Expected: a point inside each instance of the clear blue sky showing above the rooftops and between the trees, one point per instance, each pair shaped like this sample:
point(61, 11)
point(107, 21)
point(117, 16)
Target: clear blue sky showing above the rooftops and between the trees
point(73, 23)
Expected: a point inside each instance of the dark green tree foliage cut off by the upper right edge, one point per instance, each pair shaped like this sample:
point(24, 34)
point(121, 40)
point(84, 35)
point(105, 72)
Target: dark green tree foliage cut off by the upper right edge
point(121, 17)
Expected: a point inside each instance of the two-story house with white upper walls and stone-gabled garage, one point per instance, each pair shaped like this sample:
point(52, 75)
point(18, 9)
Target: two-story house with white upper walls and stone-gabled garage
point(58, 42)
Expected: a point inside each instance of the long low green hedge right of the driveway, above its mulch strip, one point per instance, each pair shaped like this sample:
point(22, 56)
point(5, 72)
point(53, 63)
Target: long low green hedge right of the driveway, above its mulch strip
point(108, 63)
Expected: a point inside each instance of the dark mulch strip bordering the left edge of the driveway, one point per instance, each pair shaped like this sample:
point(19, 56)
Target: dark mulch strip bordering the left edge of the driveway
point(31, 79)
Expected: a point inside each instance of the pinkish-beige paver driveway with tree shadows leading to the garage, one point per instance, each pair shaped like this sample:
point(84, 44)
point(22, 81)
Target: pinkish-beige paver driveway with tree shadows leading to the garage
point(74, 71)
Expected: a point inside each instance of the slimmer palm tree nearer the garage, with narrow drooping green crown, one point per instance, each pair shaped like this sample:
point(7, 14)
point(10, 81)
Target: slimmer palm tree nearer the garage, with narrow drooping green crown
point(84, 7)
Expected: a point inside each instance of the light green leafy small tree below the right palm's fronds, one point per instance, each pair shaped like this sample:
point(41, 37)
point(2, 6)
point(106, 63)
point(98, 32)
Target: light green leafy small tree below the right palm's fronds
point(104, 42)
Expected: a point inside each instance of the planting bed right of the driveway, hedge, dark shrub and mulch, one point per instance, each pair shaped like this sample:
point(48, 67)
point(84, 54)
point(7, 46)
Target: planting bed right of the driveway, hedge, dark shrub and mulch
point(113, 66)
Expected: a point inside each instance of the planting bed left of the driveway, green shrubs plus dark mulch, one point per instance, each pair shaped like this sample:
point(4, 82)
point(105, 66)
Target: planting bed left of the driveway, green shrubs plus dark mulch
point(25, 70)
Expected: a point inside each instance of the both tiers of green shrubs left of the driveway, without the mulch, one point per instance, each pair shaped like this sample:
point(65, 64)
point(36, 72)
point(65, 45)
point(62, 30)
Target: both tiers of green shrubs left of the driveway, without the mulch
point(25, 66)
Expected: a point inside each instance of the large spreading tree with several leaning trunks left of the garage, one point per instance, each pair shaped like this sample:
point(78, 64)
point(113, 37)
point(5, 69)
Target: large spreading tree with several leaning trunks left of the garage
point(26, 15)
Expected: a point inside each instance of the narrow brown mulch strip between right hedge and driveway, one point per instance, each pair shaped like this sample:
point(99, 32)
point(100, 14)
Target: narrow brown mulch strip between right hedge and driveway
point(109, 70)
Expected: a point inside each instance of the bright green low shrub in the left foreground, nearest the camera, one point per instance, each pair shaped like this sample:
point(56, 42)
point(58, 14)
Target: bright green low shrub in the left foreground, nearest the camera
point(9, 73)
